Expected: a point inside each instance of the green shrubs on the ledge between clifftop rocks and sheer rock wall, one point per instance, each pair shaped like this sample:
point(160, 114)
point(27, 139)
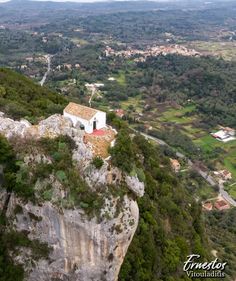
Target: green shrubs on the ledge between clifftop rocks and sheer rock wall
point(61, 166)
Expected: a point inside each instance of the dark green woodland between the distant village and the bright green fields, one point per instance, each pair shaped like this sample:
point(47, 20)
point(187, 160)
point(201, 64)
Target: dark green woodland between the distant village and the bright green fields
point(208, 82)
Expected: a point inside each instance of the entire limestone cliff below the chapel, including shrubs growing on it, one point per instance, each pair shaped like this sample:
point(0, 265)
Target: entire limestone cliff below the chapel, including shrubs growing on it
point(82, 245)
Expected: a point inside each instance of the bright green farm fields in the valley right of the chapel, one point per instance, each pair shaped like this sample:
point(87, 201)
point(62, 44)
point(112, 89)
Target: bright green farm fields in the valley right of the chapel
point(222, 155)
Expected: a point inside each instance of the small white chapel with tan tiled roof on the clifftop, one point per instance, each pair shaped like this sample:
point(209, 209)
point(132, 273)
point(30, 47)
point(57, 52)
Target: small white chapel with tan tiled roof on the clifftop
point(92, 119)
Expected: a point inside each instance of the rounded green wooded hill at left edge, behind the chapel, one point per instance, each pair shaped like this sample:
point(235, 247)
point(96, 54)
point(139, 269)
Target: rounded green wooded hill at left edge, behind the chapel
point(20, 97)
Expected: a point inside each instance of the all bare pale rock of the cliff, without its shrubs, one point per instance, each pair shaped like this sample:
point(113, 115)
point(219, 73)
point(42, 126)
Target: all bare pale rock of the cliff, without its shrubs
point(82, 248)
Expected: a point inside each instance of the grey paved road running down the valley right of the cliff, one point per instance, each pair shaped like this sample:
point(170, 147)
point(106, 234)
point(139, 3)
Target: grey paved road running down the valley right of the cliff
point(202, 173)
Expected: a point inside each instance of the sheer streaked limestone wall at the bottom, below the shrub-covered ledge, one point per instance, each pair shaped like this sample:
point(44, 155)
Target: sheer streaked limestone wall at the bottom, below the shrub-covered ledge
point(82, 249)
